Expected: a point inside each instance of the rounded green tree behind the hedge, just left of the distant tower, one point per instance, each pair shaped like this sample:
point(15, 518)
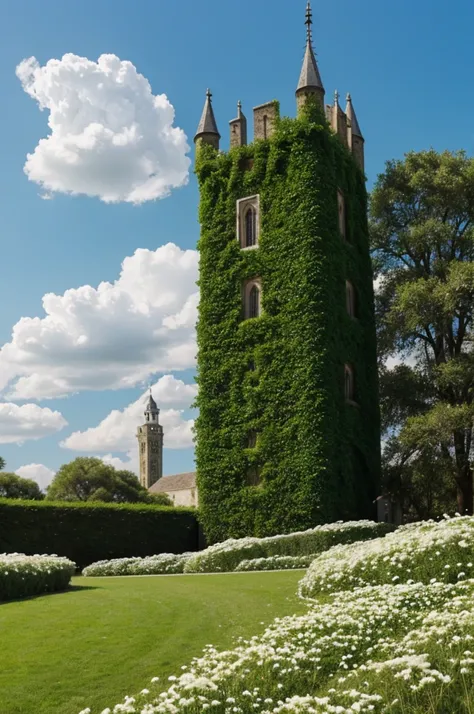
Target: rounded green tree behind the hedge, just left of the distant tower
point(90, 479)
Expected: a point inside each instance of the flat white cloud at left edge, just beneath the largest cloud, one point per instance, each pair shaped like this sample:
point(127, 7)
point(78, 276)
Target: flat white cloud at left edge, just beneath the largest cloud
point(29, 421)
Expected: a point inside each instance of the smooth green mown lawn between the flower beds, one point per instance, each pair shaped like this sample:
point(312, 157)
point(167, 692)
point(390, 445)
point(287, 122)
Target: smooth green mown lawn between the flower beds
point(107, 637)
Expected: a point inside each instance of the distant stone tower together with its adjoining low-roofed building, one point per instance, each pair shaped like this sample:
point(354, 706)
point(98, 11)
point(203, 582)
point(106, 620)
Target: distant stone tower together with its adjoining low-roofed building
point(181, 488)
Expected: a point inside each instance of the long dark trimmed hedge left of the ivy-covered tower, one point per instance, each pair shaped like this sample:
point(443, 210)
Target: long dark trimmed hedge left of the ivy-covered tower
point(88, 532)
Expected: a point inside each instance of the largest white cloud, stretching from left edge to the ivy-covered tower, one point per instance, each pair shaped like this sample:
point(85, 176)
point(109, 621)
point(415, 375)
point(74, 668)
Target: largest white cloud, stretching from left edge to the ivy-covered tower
point(110, 337)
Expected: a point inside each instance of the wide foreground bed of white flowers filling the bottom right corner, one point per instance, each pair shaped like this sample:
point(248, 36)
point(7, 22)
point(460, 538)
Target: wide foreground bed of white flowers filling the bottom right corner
point(388, 648)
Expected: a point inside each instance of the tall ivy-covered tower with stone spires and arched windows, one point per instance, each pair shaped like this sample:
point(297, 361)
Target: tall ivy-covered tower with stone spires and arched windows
point(288, 432)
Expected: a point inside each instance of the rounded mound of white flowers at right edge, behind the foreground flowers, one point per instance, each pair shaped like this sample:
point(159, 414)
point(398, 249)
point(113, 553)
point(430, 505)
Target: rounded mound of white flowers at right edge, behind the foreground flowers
point(421, 552)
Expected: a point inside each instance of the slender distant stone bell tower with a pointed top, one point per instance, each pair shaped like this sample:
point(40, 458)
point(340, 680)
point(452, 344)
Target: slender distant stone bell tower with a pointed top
point(150, 445)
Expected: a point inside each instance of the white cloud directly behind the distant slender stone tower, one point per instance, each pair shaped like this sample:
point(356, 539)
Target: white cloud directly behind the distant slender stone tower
point(117, 432)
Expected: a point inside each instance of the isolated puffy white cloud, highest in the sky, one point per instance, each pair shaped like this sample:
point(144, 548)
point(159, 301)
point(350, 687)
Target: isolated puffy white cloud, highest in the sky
point(109, 135)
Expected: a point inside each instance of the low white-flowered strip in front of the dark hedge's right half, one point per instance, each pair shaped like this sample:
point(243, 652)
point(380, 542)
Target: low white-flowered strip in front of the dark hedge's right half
point(164, 564)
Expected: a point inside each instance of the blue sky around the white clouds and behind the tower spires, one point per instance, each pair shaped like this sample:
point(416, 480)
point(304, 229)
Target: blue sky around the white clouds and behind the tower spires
point(407, 65)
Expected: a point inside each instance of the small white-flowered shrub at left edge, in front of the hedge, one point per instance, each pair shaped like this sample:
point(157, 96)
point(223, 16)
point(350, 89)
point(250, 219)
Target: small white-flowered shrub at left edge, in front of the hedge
point(25, 575)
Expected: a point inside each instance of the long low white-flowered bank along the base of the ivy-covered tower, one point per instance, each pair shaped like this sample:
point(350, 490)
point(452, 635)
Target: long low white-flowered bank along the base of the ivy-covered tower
point(226, 556)
